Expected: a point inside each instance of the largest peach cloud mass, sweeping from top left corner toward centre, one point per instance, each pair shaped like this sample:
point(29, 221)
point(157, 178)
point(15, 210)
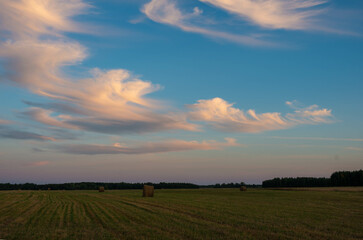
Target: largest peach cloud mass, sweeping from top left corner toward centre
point(36, 56)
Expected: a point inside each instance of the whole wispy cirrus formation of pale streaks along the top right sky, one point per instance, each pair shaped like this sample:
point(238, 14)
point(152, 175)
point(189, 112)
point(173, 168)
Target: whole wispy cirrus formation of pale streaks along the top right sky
point(302, 15)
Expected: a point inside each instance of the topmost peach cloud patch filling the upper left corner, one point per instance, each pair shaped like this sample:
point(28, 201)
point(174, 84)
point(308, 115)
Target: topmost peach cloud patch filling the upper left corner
point(30, 18)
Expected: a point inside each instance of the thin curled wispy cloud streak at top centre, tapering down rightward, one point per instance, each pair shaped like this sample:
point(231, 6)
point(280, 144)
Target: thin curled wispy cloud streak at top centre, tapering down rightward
point(166, 12)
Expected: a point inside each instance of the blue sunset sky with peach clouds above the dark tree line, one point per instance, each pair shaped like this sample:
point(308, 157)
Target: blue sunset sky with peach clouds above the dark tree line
point(201, 91)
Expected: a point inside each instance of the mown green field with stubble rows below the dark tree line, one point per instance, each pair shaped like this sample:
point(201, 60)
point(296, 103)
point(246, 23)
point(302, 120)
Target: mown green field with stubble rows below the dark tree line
point(181, 214)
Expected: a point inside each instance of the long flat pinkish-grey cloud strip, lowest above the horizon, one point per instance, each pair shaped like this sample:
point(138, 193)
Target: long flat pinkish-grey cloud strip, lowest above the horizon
point(149, 147)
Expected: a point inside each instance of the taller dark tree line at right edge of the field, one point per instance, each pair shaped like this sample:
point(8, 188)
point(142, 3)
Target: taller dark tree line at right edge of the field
point(340, 178)
